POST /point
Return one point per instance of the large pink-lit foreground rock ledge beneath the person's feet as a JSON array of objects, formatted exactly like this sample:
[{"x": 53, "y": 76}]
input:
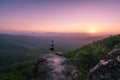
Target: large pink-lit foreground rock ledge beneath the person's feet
[{"x": 54, "y": 67}]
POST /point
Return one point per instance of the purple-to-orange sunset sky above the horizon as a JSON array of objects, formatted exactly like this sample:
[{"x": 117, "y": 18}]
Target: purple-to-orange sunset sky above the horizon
[{"x": 62, "y": 16}]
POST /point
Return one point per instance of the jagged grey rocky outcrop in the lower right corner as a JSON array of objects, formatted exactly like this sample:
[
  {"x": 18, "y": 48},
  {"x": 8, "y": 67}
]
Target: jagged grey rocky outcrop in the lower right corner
[{"x": 107, "y": 69}]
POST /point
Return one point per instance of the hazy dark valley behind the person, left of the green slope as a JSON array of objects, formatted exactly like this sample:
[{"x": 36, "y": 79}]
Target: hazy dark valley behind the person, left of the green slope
[{"x": 18, "y": 53}]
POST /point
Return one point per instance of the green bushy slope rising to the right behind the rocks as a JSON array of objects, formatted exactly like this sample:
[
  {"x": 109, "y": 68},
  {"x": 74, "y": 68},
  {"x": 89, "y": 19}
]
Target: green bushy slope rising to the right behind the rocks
[{"x": 89, "y": 55}]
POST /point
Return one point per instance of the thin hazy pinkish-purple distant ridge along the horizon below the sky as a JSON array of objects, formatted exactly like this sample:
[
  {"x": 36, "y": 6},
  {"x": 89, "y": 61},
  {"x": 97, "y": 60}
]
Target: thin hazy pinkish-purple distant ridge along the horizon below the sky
[{"x": 43, "y": 33}]
